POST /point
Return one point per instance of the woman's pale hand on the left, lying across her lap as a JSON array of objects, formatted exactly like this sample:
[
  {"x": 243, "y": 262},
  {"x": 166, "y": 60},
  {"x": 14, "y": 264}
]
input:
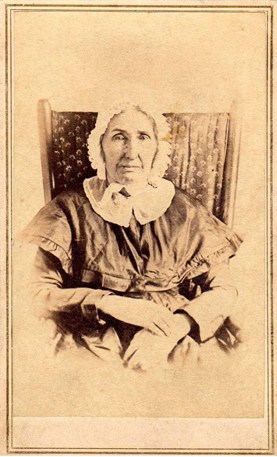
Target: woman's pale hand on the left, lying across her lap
[{"x": 140, "y": 312}]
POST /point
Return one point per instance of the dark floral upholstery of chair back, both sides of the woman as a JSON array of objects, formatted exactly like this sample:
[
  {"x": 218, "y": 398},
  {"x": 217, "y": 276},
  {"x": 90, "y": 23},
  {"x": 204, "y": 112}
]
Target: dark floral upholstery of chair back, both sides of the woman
[{"x": 199, "y": 144}]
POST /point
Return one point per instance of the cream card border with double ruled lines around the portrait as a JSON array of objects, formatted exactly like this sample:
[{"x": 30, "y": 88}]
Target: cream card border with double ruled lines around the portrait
[{"x": 129, "y": 435}]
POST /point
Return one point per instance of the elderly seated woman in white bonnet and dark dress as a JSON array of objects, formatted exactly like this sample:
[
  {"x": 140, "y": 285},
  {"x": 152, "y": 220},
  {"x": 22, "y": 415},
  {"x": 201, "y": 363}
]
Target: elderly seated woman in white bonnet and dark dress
[{"x": 129, "y": 267}]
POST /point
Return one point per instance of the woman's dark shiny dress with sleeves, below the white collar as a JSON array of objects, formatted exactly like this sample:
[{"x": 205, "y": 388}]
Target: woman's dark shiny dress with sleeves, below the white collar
[{"x": 179, "y": 261}]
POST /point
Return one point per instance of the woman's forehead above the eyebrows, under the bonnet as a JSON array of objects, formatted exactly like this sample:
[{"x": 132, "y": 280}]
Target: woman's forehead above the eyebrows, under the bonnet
[{"x": 132, "y": 121}]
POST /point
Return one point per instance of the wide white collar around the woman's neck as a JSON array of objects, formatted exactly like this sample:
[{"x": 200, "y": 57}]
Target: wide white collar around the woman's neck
[{"x": 115, "y": 205}]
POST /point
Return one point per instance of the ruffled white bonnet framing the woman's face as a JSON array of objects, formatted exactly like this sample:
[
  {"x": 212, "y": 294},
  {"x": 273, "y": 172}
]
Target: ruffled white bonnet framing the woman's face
[{"x": 161, "y": 126}]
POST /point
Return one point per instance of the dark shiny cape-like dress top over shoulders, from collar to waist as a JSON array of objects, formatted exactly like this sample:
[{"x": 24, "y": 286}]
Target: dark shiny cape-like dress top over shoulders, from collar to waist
[{"x": 158, "y": 256}]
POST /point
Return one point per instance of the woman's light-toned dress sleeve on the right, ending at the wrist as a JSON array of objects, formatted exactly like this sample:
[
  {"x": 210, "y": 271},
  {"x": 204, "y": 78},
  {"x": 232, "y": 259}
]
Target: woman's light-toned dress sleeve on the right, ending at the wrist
[{"x": 210, "y": 309}]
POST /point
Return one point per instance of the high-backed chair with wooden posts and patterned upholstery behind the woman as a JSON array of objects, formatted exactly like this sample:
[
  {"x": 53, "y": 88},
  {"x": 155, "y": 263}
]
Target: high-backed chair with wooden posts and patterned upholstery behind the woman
[{"x": 204, "y": 159}]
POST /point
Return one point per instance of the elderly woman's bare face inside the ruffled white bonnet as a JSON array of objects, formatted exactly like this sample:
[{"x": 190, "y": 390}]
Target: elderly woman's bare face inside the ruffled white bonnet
[{"x": 129, "y": 145}]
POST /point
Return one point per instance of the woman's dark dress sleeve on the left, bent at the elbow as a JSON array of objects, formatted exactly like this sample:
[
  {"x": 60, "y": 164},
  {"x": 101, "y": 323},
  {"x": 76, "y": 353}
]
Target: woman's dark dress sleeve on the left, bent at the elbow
[{"x": 50, "y": 297}]
